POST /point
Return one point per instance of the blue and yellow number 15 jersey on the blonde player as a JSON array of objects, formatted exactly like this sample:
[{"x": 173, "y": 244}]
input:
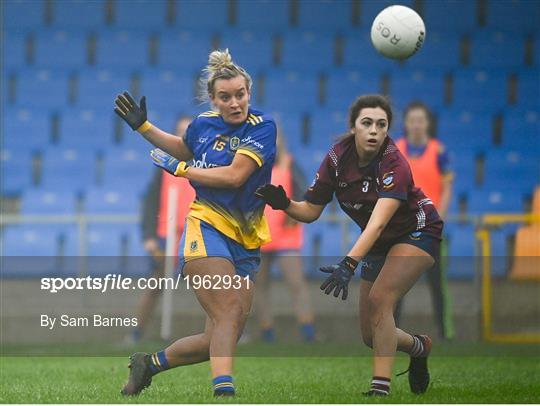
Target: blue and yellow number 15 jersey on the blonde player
[{"x": 237, "y": 213}]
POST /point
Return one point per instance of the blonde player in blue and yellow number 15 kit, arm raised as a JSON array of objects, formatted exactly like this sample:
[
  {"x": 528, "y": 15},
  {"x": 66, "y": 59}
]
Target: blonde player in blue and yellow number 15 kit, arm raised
[{"x": 230, "y": 153}]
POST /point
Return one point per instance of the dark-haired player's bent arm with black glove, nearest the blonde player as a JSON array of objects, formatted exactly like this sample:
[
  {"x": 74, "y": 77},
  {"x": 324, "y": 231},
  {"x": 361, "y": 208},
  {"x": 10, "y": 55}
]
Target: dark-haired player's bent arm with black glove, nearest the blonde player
[{"x": 276, "y": 198}]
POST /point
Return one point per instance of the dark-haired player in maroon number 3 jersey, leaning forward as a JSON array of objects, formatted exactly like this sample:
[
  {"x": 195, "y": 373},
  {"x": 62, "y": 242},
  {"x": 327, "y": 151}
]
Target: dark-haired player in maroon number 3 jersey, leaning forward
[{"x": 401, "y": 233}]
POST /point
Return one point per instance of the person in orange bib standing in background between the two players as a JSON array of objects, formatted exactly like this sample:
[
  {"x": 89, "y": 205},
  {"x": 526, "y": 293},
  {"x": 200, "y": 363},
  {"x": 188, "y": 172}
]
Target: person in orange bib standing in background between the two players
[{"x": 287, "y": 240}]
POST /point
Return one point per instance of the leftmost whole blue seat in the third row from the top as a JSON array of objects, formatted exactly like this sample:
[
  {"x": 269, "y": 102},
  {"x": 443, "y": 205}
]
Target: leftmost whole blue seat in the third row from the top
[{"x": 42, "y": 89}]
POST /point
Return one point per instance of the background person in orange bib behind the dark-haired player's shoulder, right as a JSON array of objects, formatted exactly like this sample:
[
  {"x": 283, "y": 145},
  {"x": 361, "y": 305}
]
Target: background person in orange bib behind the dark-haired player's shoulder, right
[{"x": 430, "y": 165}]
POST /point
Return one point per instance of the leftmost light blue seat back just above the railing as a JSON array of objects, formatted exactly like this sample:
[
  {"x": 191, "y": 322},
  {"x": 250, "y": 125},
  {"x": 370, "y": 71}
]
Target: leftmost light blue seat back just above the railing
[{"x": 39, "y": 201}]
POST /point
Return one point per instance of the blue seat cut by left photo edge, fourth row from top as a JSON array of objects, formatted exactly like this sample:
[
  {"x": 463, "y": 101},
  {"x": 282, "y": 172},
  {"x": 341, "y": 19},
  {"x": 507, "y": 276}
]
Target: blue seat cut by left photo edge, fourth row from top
[{"x": 26, "y": 129}]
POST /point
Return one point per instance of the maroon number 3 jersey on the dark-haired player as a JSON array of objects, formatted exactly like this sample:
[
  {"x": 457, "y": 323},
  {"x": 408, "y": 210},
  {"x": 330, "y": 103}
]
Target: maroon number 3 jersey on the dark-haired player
[{"x": 358, "y": 189}]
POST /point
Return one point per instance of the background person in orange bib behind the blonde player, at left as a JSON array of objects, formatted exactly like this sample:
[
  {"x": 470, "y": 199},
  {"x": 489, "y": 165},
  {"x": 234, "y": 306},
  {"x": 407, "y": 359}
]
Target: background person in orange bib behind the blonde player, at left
[{"x": 154, "y": 229}]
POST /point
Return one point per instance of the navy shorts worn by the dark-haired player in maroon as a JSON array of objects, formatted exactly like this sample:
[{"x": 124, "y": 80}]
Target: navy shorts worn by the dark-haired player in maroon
[{"x": 372, "y": 263}]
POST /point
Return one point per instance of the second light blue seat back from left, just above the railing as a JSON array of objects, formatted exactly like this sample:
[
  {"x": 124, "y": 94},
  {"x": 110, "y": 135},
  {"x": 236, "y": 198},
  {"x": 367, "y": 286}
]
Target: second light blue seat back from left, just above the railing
[{"x": 102, "y": 201}]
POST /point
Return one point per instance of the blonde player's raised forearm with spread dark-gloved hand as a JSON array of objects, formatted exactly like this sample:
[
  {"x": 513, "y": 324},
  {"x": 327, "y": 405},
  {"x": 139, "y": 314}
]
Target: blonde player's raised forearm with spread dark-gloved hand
[{"x": 136, "y": 117}]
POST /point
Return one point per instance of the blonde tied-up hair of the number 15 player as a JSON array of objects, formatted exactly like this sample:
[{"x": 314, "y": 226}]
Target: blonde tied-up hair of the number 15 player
[{"x": 220, "y": 66}]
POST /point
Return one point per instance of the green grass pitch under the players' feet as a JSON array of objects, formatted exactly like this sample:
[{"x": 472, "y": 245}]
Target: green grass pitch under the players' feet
[{"x": 460, "y": 374}]
